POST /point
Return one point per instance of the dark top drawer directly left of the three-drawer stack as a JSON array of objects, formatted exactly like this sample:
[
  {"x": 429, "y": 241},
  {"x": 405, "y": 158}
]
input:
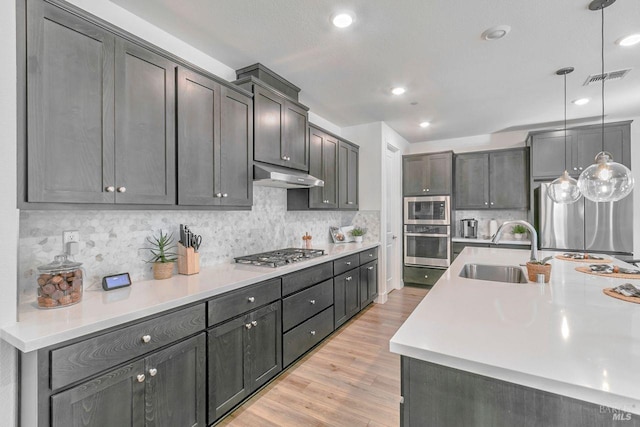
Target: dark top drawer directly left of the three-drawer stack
[{"x": 242, "y": 300}]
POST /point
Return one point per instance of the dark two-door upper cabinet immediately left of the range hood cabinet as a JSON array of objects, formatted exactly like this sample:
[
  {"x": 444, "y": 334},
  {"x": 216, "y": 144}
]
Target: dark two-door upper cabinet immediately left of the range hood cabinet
[{"x": 215, "y": 131}]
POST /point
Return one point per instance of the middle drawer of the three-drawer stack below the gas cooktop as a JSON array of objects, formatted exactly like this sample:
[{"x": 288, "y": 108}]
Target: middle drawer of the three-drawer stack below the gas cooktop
[{"x": 303, "y": 305}]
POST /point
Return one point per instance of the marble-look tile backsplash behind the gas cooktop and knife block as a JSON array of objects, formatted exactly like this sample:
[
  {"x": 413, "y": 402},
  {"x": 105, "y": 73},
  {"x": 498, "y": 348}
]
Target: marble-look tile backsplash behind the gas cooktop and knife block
[{"x": 111, "y": 241}]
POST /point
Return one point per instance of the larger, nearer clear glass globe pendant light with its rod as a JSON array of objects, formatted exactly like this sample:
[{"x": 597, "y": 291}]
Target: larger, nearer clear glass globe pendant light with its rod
[{"x": 606, "y": 180}]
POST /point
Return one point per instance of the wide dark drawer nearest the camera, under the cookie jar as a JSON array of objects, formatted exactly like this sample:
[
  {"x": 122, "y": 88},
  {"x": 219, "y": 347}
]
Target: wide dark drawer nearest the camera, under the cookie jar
[{"x": 88, "y": 357}]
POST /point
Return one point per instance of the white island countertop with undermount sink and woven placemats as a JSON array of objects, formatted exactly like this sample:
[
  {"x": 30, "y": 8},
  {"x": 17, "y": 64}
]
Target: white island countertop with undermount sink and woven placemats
[{"x": 565, "y": 337}]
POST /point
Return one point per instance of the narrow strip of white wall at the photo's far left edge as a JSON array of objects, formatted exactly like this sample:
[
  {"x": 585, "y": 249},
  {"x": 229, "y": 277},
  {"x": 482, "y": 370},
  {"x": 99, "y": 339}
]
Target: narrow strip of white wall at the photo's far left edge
[{"x": 8, "y": 211}]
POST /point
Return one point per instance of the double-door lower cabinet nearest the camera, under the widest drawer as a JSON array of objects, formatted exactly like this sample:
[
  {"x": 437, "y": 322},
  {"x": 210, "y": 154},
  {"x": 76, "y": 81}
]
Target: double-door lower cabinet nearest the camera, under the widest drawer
[{"x": 141, "y": 393}]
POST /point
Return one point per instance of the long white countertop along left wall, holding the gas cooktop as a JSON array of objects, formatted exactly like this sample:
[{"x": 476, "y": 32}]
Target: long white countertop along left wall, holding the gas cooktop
[{"x": 38, "y": 328}]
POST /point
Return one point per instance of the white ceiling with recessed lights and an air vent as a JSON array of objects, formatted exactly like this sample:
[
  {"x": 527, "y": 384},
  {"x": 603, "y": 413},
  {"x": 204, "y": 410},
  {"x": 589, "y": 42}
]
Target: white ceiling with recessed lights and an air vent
[{"x": 461, "y": 83}]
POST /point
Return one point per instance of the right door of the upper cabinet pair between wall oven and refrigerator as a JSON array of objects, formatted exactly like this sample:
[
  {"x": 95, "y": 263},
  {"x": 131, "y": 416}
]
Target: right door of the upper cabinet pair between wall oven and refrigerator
[{"x": 509, "y": 179}]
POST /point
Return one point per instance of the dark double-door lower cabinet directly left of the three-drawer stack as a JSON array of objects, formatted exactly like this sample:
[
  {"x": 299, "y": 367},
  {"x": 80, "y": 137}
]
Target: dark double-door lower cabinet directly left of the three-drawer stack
[{"x": 243, "y": 354}]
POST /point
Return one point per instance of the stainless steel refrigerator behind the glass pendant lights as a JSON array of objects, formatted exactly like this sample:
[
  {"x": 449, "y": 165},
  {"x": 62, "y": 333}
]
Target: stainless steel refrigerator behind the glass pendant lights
[{"x": 584, "y": 225}]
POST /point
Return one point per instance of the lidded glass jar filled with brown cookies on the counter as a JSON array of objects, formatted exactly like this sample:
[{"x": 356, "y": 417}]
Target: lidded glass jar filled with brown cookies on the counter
[{"x": 59, "y": 283}]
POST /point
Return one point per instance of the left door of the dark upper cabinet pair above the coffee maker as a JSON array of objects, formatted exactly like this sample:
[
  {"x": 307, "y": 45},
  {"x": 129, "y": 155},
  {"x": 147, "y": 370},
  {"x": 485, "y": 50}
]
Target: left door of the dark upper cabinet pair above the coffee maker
[{"x": 472, "y": 181}]
